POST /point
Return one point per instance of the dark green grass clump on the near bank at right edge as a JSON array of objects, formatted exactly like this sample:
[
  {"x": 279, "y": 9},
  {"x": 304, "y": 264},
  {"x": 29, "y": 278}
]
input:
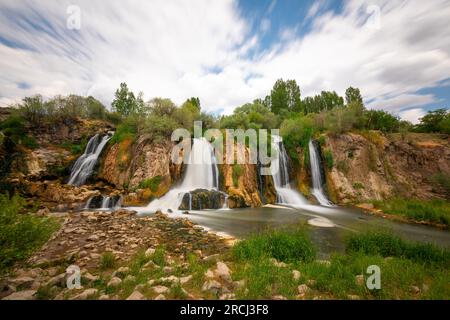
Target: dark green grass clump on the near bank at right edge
[{"x": 388, "y": 245}]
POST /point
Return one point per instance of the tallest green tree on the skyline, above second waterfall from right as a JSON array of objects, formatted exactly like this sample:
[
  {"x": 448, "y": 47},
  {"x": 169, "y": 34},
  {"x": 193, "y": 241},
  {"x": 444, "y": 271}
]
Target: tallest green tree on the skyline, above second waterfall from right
[{"x": 285, "y": 97}]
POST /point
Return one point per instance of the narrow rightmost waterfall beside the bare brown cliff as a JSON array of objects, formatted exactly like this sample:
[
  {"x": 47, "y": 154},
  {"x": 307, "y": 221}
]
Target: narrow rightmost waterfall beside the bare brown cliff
[{"x": 317, "y": 175}]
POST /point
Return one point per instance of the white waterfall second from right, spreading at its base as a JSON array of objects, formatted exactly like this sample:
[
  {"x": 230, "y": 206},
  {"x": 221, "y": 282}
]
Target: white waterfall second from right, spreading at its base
[{"x": 280, "y": 174}]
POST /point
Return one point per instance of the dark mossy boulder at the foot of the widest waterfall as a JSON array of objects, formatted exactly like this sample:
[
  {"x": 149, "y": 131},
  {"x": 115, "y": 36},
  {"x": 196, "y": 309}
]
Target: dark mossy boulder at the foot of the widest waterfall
[{"x": 203, "y": 199}]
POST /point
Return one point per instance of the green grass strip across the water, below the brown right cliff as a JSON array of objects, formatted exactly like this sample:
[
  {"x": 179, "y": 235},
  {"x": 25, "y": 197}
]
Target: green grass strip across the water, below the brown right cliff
[{"x": 437, "y": 211}]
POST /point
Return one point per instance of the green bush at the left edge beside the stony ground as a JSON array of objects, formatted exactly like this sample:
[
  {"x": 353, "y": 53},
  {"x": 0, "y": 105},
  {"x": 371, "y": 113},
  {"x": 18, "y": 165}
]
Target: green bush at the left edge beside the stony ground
[{"x": 20, "y": 233}]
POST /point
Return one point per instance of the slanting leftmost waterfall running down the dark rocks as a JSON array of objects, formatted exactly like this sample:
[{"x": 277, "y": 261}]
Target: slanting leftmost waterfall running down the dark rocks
[{"x": 85, "y": 164}]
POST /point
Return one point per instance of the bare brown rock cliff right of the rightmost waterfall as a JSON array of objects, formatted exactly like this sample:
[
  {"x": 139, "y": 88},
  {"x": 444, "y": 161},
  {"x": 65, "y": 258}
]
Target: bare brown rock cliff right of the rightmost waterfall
[{"x": 375, "y": 166}]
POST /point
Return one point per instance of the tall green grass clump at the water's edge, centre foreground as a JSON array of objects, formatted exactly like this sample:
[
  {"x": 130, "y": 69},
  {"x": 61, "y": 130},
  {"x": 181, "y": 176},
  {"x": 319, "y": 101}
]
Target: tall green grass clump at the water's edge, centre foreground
[{"x": 286, "y": 246}]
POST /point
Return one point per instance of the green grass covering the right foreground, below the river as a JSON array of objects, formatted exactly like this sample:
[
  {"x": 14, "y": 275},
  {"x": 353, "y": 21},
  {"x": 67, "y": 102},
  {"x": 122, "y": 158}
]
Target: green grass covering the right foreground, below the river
[{"x": 409, "y": 264}]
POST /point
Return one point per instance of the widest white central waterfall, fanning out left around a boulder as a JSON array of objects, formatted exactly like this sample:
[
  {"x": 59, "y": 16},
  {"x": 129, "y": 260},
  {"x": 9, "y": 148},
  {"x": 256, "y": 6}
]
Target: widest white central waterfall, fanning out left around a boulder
[{"x": 201, "y": 173}]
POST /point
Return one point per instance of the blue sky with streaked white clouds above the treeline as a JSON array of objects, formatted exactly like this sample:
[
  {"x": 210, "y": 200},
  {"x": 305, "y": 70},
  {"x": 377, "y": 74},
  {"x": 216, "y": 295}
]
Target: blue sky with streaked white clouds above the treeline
[{"x": 228, "y": 52}]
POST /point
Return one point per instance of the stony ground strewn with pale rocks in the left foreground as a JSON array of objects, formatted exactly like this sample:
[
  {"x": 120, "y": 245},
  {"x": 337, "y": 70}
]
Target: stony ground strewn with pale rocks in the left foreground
[{"x": 152, "y": 257}]
